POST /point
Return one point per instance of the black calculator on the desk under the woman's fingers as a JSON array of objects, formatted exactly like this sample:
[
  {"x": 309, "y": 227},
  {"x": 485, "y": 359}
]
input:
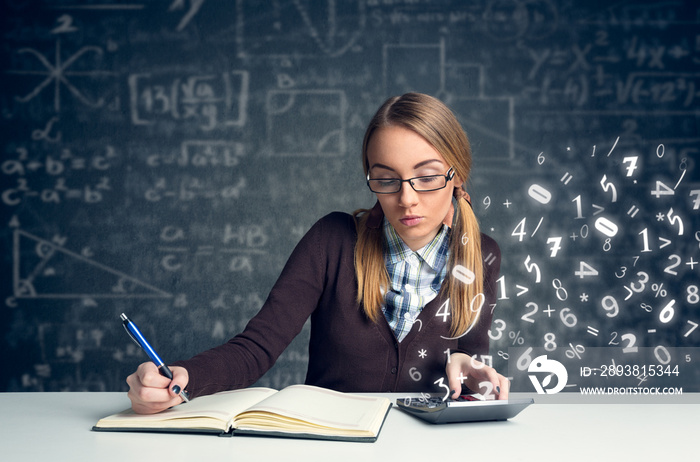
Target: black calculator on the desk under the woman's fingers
[{"x": 466, "y": 408}]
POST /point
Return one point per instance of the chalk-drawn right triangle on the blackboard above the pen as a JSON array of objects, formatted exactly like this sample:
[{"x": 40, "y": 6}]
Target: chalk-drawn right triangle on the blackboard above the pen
[{"x": 45, "y": 270}]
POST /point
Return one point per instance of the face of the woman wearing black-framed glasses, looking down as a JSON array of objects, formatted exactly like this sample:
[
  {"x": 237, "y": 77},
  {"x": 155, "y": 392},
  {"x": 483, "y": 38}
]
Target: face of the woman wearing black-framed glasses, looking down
[{"x": 397, "y": 152}]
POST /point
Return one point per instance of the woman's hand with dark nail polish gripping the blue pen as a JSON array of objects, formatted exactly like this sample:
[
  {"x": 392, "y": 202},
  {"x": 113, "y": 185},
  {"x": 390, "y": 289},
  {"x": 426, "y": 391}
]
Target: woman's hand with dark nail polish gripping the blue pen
[{"x": 151, "y": 392}]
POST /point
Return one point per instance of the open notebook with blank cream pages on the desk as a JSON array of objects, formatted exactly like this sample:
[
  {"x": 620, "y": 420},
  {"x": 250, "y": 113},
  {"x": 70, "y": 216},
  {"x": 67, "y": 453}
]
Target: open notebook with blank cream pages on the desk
[{"x": 298, "y": 411}]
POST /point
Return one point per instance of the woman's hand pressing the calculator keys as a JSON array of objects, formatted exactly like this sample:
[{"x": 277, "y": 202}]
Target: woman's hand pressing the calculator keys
[{"x": 463, "y": 369}]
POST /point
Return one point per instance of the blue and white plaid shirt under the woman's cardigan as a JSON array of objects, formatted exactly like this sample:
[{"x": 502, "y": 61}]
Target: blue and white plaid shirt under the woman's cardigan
[{"x": 415, "y": 277}]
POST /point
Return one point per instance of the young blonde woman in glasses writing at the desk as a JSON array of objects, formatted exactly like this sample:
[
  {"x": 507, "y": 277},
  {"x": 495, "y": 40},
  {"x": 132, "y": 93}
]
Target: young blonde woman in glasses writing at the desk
[{"x": 399, "y": 296}]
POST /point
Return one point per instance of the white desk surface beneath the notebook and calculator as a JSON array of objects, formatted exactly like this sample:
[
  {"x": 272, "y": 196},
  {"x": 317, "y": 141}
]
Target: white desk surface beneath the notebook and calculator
[{"x": 56, "y": 426}]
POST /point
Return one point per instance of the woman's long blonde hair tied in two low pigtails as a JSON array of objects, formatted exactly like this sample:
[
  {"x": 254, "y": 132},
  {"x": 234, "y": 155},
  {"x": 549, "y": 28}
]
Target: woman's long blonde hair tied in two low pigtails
[{"x": 431, "y": 119}]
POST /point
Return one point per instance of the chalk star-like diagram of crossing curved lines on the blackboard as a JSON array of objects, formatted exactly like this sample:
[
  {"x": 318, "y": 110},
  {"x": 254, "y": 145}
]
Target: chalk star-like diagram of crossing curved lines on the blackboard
[{"x": 58, "y": 73}]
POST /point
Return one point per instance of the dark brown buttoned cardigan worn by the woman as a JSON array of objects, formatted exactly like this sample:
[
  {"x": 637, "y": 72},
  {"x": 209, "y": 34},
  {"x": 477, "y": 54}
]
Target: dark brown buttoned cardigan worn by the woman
[{"x": 347, "y": 352}]
